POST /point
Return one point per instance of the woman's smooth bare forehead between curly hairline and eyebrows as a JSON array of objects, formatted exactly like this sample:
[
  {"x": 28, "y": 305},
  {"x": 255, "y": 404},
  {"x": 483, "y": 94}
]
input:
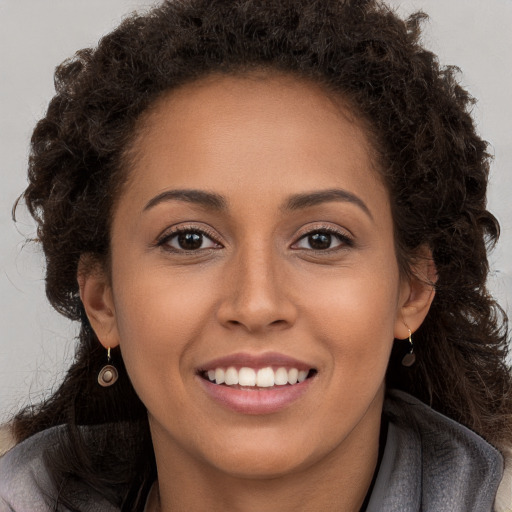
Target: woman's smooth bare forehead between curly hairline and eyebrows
[{"x": 227, "y": 131}]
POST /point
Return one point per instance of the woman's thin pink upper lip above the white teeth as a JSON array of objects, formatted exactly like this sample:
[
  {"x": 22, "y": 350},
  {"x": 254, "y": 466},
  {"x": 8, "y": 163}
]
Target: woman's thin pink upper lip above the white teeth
[{"x": 242, "y": 359}]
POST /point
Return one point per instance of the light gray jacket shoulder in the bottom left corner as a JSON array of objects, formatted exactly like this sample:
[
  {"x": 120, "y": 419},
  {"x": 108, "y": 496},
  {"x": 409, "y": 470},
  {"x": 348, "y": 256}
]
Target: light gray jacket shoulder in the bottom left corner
[{"x": 24, "y": 481}]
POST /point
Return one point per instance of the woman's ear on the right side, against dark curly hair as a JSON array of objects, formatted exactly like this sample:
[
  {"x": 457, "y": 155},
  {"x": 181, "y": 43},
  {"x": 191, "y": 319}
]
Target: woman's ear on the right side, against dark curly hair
[{"x": 417, "y": 292}]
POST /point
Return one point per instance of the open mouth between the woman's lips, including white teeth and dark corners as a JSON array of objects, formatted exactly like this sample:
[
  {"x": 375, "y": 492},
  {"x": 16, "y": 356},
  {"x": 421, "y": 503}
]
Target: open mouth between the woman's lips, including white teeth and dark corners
[{"x": 253, "y": 378}]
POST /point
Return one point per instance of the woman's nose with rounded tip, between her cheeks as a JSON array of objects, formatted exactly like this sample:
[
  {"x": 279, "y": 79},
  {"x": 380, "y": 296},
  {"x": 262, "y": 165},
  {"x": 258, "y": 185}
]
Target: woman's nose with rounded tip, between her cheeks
[{"x": 255, "y": 294}]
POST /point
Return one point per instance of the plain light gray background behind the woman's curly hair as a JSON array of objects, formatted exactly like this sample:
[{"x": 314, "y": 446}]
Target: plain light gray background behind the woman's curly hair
[{"x": 36, "y": 344}]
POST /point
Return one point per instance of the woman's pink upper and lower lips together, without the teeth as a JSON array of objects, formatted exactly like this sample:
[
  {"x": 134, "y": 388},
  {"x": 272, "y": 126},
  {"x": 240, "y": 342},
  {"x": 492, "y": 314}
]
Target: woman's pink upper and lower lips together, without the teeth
[{"x": 250, "y": 400}]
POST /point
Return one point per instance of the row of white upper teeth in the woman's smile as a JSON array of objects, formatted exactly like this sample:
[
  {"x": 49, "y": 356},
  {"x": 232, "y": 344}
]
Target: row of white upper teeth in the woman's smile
[{"x": 263, "y": 378}]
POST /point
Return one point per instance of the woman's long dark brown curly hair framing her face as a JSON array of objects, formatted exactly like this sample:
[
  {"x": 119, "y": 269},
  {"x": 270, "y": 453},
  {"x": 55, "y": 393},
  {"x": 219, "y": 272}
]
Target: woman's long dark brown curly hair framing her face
[{"x": 433, "y": 162}]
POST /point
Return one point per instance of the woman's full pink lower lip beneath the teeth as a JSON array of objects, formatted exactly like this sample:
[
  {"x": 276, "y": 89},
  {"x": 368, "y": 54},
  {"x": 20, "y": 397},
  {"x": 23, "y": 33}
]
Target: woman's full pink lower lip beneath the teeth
[{"x": 257, "y": 401}]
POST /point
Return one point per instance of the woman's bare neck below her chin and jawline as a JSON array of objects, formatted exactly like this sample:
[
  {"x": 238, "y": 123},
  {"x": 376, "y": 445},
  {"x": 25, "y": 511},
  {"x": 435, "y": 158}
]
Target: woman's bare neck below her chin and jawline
[{"x": 338, "y": 481}]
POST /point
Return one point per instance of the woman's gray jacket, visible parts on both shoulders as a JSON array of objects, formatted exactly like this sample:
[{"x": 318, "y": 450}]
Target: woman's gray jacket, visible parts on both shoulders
[{"x": 430, "y": 464}]
